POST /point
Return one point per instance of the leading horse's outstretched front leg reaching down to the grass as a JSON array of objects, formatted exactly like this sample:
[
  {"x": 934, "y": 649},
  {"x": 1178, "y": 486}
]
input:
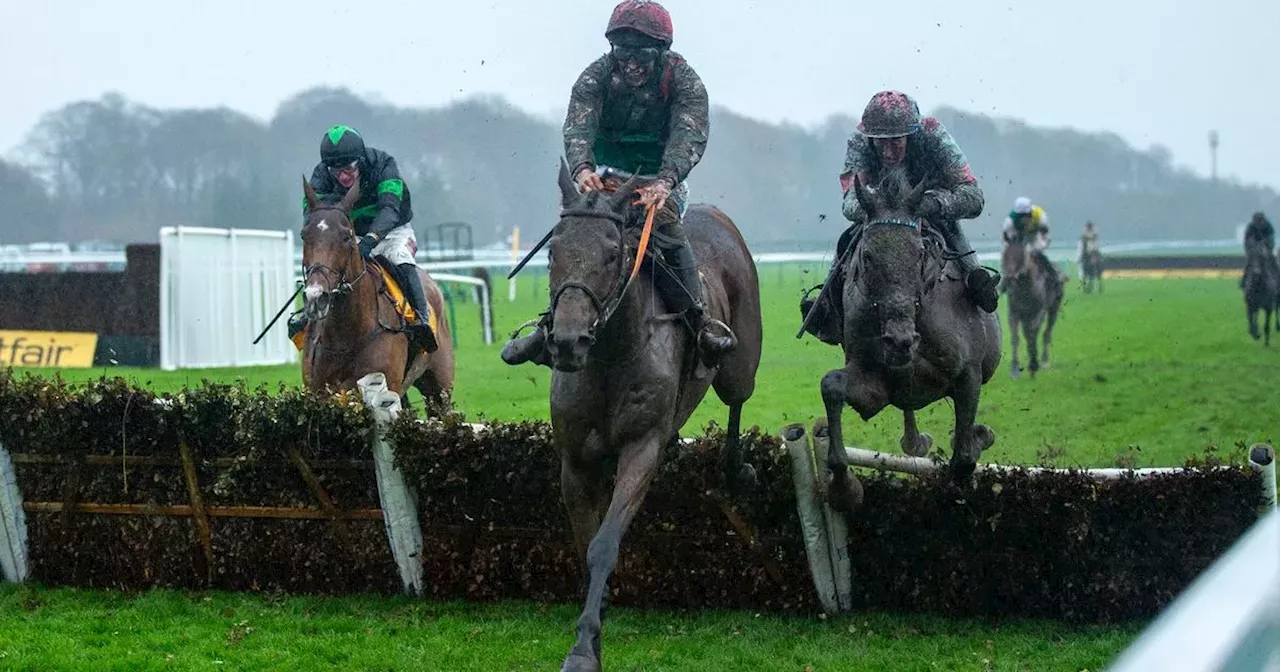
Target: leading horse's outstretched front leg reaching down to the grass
[{"x": 638, "y": 464}]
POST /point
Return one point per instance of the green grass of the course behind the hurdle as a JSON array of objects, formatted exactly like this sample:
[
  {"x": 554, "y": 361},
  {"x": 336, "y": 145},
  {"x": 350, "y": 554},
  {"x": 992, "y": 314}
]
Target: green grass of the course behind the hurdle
[{"x": 1163, "y": 367}]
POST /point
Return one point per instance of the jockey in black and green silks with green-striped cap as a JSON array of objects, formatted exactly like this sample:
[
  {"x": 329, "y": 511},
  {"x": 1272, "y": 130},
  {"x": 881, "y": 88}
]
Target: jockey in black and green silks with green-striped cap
[{"x": 381, "y": 217}]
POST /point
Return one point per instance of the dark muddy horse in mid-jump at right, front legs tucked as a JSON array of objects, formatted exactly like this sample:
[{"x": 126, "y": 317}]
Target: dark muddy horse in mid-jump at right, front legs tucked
[{"x": 911, "y": 337}]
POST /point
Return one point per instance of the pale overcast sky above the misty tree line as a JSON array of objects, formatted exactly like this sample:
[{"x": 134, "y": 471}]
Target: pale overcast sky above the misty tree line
[{"x": 1154, "y": 72}]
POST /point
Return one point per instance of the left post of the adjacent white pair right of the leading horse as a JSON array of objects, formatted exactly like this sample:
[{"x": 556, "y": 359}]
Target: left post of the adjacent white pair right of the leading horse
[{"x": 813, "y": 524}]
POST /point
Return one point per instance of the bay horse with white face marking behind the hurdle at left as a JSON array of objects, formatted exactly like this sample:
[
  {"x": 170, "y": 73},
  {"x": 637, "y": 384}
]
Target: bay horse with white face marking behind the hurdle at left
[{"x": 354, "y": 327}]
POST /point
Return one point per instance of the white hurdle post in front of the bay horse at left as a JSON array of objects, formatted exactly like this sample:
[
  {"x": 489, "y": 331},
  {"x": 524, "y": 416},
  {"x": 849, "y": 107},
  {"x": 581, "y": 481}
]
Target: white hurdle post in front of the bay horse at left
[{"x": 399, "y": 501}]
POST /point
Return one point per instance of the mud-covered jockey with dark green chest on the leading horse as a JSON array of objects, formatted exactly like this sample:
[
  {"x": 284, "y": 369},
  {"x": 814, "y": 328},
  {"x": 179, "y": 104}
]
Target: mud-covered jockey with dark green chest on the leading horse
[{"x": 642, "y": 111}]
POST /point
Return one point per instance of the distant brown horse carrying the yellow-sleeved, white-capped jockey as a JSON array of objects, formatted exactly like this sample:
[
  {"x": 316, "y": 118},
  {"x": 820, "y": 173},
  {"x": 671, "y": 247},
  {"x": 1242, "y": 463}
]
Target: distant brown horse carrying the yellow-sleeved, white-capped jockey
[{"x": 1034, "y": 303}]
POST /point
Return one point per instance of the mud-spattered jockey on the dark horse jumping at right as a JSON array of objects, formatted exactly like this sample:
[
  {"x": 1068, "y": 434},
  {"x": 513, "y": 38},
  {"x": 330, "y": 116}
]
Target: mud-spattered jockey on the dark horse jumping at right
[{"x": 894, "y": 134}]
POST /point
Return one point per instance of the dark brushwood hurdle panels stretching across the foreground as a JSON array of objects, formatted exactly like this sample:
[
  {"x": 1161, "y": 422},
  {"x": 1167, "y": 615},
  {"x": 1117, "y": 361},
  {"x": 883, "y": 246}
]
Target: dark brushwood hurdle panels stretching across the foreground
[{"x": 1017, "y": 545}]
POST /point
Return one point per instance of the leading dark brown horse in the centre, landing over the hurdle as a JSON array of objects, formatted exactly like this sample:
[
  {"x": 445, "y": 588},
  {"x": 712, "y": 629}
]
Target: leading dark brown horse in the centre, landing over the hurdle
[{"x": 627, "y": 377}]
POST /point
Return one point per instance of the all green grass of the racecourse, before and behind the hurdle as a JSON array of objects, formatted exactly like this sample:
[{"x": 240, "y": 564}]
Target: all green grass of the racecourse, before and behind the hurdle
[{"x": 1154, "y": 371}]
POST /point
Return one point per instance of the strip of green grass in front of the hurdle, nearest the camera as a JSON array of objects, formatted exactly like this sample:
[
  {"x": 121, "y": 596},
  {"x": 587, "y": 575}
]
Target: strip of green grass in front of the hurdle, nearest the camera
[{"x": 66, "y": 629}]
